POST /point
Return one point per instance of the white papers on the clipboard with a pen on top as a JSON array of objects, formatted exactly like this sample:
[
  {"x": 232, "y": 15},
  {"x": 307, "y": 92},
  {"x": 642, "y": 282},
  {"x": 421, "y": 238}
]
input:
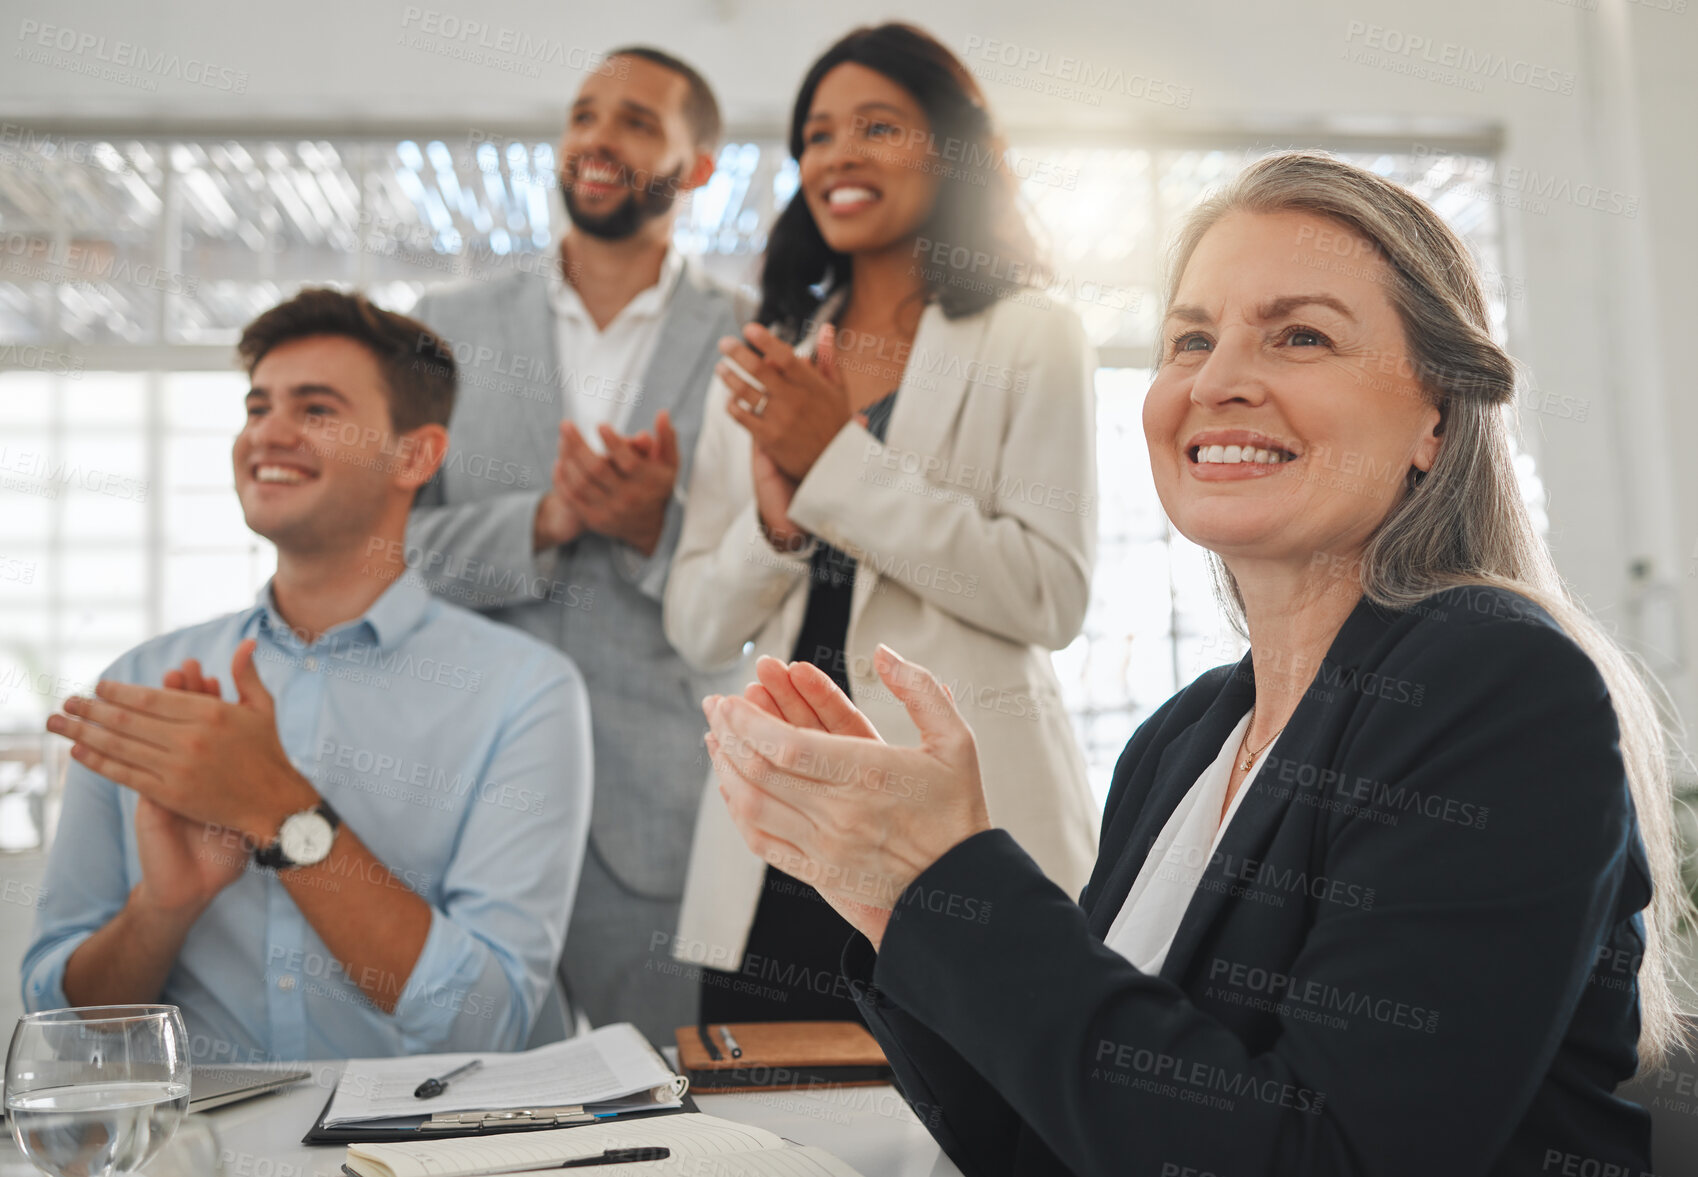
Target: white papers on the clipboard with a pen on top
[{"x": 612, "y": 1062}]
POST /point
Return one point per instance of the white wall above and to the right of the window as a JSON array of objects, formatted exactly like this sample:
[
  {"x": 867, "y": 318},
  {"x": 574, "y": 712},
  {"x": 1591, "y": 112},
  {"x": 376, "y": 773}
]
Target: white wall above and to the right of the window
[{"x": 1607, "y": 295}]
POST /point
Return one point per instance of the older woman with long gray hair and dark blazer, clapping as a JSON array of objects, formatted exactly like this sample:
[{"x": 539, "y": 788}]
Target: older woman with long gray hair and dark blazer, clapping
[{"x": 1390, "y": 896}]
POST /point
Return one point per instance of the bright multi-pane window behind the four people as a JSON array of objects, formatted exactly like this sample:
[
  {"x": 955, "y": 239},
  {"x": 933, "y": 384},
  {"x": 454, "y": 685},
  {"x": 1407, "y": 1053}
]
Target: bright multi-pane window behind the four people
[{"x": 128, "y": 267}]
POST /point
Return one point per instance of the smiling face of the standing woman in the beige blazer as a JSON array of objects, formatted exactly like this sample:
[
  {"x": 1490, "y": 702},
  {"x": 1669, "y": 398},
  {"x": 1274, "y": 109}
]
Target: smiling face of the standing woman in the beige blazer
[{"x": 869, "y": 169}]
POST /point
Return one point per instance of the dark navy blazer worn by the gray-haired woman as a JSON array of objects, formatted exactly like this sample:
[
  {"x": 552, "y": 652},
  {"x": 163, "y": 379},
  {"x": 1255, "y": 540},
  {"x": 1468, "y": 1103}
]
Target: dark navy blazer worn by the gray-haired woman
[{"x": 1414, "y": 952}]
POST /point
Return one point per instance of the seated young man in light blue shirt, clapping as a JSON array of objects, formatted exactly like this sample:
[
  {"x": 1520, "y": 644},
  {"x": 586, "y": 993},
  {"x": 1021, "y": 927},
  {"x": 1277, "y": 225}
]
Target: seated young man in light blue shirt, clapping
[{"x": 374, "y": 848}]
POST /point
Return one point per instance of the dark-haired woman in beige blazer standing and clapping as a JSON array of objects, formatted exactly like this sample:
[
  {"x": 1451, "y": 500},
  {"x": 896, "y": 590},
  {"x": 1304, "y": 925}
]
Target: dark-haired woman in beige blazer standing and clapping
[{"x": 901, "y": 451}]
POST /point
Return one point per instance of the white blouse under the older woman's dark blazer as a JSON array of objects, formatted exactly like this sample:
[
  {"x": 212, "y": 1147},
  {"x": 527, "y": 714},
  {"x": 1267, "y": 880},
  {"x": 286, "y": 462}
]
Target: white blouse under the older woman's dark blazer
[{"x": 1144, "y": 930}]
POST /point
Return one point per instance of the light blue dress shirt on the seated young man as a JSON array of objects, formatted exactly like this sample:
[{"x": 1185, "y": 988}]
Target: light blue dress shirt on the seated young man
[{"x": 456, "y": 748}]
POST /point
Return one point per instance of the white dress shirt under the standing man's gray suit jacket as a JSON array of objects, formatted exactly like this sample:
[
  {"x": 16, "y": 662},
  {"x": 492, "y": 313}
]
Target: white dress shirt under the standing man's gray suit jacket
[{"x": 602, "y": 369}]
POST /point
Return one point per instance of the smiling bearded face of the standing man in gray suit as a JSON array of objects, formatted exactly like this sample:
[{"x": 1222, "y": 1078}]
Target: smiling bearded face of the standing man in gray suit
[{"x": 627, "y": 152}]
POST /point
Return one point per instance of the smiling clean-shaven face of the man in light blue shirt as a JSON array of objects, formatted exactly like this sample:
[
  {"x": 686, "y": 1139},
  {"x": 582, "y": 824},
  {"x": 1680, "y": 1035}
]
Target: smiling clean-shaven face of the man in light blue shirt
[{"x": 320, "y": 466}]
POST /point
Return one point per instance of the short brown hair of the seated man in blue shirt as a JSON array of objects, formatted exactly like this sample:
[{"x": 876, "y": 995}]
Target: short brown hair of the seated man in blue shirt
[{"x": 417, "y": 364}]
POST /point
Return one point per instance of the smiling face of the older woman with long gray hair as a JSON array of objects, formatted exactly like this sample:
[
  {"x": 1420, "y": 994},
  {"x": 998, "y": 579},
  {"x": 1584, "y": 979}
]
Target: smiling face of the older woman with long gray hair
[{"x": 1286, "y": 414}]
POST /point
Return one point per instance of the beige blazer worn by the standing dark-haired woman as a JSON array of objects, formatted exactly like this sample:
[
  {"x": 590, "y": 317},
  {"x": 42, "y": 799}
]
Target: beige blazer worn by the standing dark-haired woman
[{"x": 976, "y": 531}]
